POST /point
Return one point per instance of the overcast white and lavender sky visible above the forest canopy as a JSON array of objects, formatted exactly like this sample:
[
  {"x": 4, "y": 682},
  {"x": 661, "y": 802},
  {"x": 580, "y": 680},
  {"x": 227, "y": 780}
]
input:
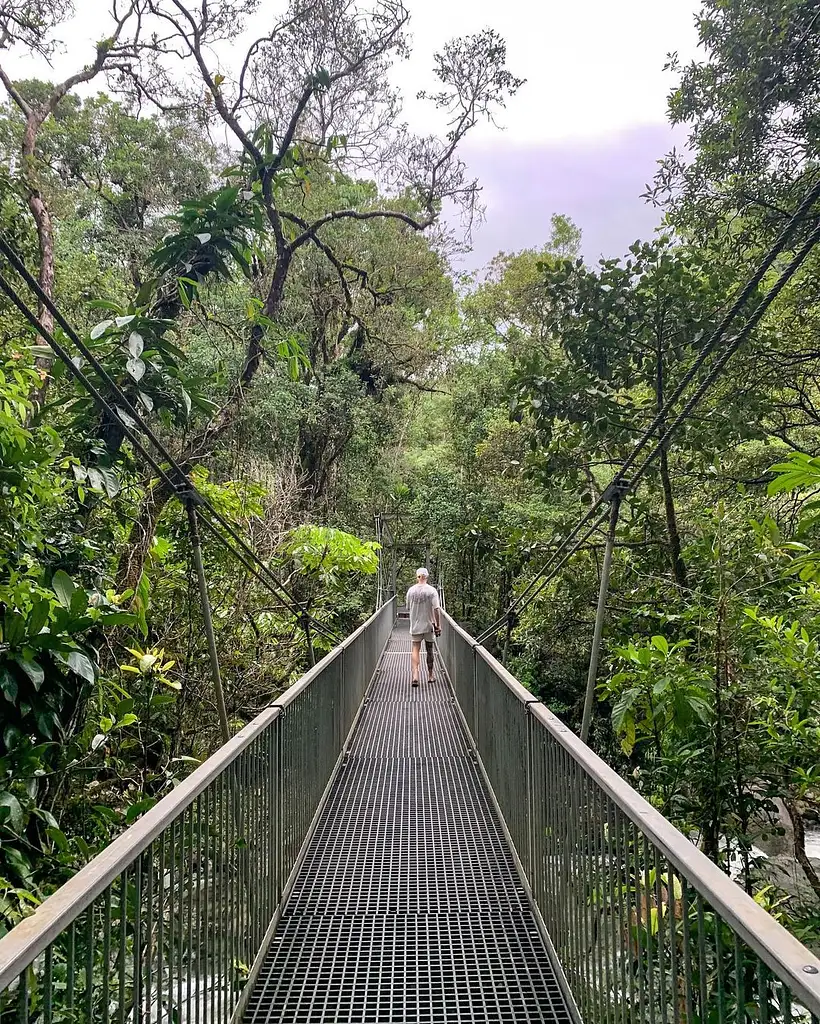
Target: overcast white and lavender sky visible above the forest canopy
[{"x": 582, "y": 138}]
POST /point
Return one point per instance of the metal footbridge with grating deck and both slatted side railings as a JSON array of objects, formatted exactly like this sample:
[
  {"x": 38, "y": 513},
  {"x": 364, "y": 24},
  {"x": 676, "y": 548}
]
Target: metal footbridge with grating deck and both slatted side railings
[{"x": 368, "y": 851}]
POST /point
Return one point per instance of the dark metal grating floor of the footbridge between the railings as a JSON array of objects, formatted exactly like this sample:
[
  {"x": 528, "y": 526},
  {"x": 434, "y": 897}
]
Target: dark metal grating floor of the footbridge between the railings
[{"x": 408, "y": 907}]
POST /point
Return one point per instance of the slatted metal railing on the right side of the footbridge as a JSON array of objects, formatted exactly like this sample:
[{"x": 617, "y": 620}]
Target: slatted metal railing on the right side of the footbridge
[{"x": 645, "y": 928}]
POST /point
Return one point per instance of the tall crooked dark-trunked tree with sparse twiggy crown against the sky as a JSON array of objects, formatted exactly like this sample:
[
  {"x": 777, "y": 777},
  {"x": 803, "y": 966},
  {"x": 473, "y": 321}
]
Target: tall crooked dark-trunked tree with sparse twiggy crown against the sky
[{"x": 298, "y": 103}]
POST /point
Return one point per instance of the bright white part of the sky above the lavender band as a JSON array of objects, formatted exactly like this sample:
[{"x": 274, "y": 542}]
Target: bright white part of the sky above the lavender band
[{"x": 594, "y": 68}]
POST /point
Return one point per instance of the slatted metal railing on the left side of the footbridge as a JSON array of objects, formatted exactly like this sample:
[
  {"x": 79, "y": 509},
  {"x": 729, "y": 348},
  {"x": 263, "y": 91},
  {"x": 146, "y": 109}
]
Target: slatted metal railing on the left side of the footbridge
[{"x": 170, "y": 923}]
